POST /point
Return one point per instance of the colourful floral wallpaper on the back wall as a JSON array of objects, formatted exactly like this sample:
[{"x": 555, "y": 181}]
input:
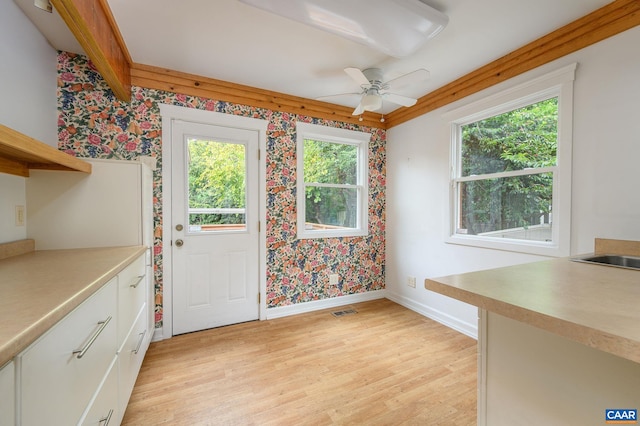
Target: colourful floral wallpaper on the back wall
[{"x": 93, "y": 123}]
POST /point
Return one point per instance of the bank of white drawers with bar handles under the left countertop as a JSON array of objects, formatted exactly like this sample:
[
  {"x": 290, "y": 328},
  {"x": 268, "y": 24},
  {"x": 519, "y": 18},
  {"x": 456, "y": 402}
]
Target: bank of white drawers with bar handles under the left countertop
[{"x": 82, "y": 371}]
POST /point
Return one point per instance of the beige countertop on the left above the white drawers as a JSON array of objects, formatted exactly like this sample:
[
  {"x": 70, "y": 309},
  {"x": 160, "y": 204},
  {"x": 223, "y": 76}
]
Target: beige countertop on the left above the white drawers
[{"x": 38, "y": 289}]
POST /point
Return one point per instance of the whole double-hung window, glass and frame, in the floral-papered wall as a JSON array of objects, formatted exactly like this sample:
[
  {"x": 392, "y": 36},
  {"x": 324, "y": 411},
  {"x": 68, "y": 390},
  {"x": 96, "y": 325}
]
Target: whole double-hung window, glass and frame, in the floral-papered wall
[{"x": 332, "y": 175}]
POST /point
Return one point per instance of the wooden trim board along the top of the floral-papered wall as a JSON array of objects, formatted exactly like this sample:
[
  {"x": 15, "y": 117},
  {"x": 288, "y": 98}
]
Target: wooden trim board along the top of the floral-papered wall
[{"x": 178, "y": 82}]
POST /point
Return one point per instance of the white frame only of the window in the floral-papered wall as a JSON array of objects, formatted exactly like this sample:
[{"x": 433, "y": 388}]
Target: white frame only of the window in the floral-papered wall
[{"x": 342, "y": 136}]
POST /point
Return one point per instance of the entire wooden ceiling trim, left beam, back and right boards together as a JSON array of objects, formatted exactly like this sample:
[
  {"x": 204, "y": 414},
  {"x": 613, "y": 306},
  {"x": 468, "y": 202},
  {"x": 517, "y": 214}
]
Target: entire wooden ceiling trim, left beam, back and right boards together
[{"x": 93, "y": 25}]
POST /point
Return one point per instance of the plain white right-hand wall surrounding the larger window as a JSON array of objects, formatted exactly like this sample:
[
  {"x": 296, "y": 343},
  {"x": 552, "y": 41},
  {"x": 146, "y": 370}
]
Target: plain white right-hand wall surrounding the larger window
[{"x": 605, "y": 194}]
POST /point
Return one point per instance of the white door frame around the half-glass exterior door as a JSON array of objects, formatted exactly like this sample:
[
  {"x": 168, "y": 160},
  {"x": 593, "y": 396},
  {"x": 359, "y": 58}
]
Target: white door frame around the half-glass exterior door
[{"x": 170, "y": 113}]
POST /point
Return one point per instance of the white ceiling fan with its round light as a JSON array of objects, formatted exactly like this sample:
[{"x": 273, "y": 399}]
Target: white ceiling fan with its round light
[{"x": 375, "y": 89}]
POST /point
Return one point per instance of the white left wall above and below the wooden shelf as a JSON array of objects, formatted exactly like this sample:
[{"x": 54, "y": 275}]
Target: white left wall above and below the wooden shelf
[{"x": 27, "y": 100}]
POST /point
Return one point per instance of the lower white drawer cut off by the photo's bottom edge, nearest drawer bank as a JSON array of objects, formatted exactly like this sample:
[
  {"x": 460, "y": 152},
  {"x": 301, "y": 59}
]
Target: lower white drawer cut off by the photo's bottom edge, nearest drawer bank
[{"x": 103, "y": 410}]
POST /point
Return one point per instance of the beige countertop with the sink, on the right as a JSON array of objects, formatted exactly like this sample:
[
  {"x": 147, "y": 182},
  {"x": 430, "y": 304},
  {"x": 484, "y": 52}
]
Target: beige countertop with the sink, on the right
[{"x": 598, "y": 306}]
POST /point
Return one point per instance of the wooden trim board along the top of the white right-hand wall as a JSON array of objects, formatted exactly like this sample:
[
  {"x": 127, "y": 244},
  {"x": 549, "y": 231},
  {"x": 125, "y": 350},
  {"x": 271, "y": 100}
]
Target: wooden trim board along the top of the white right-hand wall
[{"x": 605, "y": 22}]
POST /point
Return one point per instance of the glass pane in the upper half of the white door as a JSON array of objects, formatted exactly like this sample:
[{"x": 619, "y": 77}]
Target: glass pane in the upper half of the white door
[{"x": 217, "y": 186}]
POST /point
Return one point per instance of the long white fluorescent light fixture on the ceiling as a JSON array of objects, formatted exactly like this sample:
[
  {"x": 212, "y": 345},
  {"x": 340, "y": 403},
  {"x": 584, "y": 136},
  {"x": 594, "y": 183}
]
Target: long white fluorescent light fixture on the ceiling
[{"x": 395, "y": 27}]
